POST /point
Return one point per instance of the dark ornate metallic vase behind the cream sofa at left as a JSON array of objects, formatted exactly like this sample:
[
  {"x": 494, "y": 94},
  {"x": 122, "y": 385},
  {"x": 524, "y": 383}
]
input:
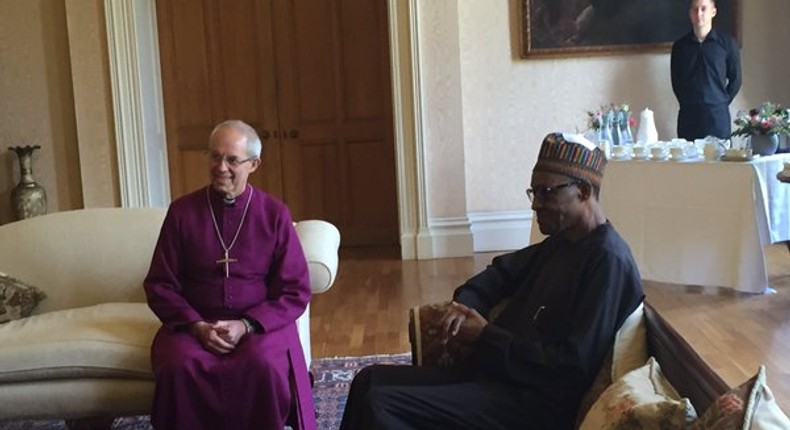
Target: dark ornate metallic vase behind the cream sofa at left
[{"x": 28, "y": 198}]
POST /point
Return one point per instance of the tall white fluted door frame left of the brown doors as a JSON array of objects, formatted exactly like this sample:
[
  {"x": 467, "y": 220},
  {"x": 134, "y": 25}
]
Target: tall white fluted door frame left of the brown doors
[{"x": 137, "y": 103}]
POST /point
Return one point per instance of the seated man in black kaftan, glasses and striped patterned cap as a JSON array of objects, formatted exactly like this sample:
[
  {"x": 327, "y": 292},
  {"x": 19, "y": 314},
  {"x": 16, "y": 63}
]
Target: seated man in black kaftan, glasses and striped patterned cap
[{"x": 531, "y": 365}]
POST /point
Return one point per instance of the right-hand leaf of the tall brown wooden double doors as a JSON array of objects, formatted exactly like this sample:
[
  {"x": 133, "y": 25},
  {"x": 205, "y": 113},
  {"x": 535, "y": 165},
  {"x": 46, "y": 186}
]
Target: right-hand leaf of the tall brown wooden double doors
[{"x": 334, "y": 91}]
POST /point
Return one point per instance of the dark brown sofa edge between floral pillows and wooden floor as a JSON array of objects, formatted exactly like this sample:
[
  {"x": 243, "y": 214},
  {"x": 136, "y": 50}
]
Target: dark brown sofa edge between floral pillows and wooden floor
[{"x": 684, "y": 368}]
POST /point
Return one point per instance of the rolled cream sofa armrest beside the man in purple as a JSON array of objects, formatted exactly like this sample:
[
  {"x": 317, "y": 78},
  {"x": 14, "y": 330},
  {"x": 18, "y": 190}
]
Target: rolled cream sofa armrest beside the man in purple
[{"x": 320, "y": 242}]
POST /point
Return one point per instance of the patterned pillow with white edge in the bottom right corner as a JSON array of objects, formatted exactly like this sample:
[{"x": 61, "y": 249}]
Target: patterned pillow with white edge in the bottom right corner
[{"x": 751, "y": 406}]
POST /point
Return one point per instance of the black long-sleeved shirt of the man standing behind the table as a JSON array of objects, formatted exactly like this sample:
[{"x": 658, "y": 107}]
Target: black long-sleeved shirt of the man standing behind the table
[{"x": 707, "y": 72}]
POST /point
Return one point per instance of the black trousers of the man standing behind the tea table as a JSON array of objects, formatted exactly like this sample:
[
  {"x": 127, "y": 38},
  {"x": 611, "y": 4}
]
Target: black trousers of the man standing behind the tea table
[{"x": 699, "y": 121}]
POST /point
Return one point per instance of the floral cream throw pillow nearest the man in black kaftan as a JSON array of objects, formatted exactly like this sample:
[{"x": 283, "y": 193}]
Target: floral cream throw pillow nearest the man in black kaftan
[{"x": 642, "y": 399}]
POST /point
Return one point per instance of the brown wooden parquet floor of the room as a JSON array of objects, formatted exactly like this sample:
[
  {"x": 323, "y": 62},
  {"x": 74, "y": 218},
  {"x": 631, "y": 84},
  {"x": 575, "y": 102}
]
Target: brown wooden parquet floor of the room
[{"x": 366, "y": 312}]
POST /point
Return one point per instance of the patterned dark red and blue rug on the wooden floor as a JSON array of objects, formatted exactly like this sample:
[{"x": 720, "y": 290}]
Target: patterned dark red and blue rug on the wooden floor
[{"x": 332, "y": 378}]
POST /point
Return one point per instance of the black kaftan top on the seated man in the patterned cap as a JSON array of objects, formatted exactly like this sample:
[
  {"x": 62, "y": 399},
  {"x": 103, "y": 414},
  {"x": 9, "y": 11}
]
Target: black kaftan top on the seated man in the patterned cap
[{"x": 567, "y": 301}]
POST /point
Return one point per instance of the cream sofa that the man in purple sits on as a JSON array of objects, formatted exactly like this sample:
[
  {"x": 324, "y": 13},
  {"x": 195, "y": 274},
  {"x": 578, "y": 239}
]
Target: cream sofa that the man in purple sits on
[{"x": 84, "y": 352}]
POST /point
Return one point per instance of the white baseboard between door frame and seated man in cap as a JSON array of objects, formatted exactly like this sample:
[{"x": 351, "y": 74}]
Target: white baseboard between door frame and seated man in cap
[{"x": 500, "y": 231}]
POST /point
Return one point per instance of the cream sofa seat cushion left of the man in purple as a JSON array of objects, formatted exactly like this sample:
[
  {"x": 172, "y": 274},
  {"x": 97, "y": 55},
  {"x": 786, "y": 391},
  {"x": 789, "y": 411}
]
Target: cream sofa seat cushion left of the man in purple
[{"x": 106, "y": 340}]
